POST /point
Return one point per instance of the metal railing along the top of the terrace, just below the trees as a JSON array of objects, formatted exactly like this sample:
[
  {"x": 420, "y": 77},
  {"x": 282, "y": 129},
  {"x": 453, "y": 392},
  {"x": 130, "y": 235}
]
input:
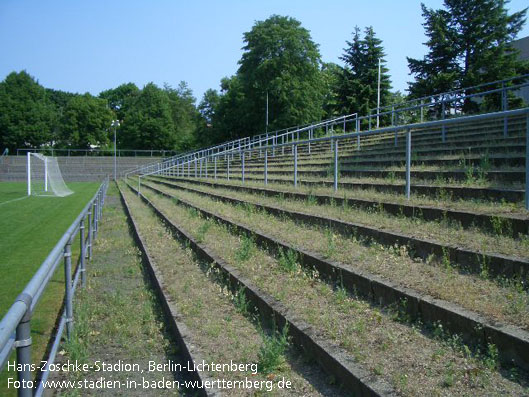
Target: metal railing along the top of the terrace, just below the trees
[{"x": 438, "y": 107}]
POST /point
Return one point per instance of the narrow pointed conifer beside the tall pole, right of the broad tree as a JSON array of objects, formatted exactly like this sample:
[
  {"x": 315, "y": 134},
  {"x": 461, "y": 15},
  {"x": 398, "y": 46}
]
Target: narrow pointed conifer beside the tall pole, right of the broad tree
[{"x": 358, "y": 85}]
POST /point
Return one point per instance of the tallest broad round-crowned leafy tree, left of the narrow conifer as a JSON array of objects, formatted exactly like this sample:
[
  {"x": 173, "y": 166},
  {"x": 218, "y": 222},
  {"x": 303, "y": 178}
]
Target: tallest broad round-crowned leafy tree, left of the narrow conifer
[{"x": 280, "y": 58}]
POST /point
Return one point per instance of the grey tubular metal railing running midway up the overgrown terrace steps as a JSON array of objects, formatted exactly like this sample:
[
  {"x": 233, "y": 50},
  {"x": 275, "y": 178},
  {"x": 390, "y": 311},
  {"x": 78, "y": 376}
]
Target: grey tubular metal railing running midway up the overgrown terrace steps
[{"x": 424, "y": 127}]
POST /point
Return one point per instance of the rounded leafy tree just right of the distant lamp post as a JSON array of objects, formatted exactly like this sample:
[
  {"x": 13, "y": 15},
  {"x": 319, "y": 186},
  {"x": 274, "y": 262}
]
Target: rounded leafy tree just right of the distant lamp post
[{"x": 148, "y": 121}]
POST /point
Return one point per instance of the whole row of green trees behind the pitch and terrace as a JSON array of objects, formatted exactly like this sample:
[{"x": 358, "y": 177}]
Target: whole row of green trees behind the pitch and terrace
[{"x": 469, "y": 43}]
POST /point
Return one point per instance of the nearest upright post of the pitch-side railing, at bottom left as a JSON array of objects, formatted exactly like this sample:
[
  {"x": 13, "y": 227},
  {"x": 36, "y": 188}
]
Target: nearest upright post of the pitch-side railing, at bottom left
[{"x": 23, "y": 345}]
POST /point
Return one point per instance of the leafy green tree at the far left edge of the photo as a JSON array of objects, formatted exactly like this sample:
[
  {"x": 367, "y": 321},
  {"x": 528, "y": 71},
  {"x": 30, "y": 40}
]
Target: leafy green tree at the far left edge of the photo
[{"x": 27, "y": 116}]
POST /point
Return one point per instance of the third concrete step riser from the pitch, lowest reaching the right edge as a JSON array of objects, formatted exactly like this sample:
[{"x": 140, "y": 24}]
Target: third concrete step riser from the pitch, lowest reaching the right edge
[{"x": 512, "y": 343}]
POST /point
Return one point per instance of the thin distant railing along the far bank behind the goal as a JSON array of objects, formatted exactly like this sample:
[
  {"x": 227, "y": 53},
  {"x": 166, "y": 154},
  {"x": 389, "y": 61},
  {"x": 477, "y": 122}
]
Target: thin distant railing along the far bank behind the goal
[{"x": 100, "y": 152}]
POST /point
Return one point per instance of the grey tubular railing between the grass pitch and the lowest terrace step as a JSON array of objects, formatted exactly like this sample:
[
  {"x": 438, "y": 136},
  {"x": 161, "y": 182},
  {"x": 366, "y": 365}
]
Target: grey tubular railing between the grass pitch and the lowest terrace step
[{"x": 15, "y": 328}]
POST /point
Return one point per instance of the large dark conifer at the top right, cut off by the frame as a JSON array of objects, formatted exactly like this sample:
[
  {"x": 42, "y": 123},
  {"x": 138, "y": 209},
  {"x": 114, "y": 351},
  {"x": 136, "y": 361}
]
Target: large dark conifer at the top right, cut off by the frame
[{"x": 469, "y": 44}]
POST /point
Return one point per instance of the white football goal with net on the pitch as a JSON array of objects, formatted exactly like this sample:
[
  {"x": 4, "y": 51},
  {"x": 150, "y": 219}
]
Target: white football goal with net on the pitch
[{"x": 44, "y": 176}]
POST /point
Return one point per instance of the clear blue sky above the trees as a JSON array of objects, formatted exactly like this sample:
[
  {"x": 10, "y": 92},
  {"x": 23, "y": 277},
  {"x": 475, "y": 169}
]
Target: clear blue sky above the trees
[{"x": 90, "y": 46}]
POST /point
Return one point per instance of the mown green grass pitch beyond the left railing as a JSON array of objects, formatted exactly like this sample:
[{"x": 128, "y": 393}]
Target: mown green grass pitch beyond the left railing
[{"x": 29, "y": 229}]
